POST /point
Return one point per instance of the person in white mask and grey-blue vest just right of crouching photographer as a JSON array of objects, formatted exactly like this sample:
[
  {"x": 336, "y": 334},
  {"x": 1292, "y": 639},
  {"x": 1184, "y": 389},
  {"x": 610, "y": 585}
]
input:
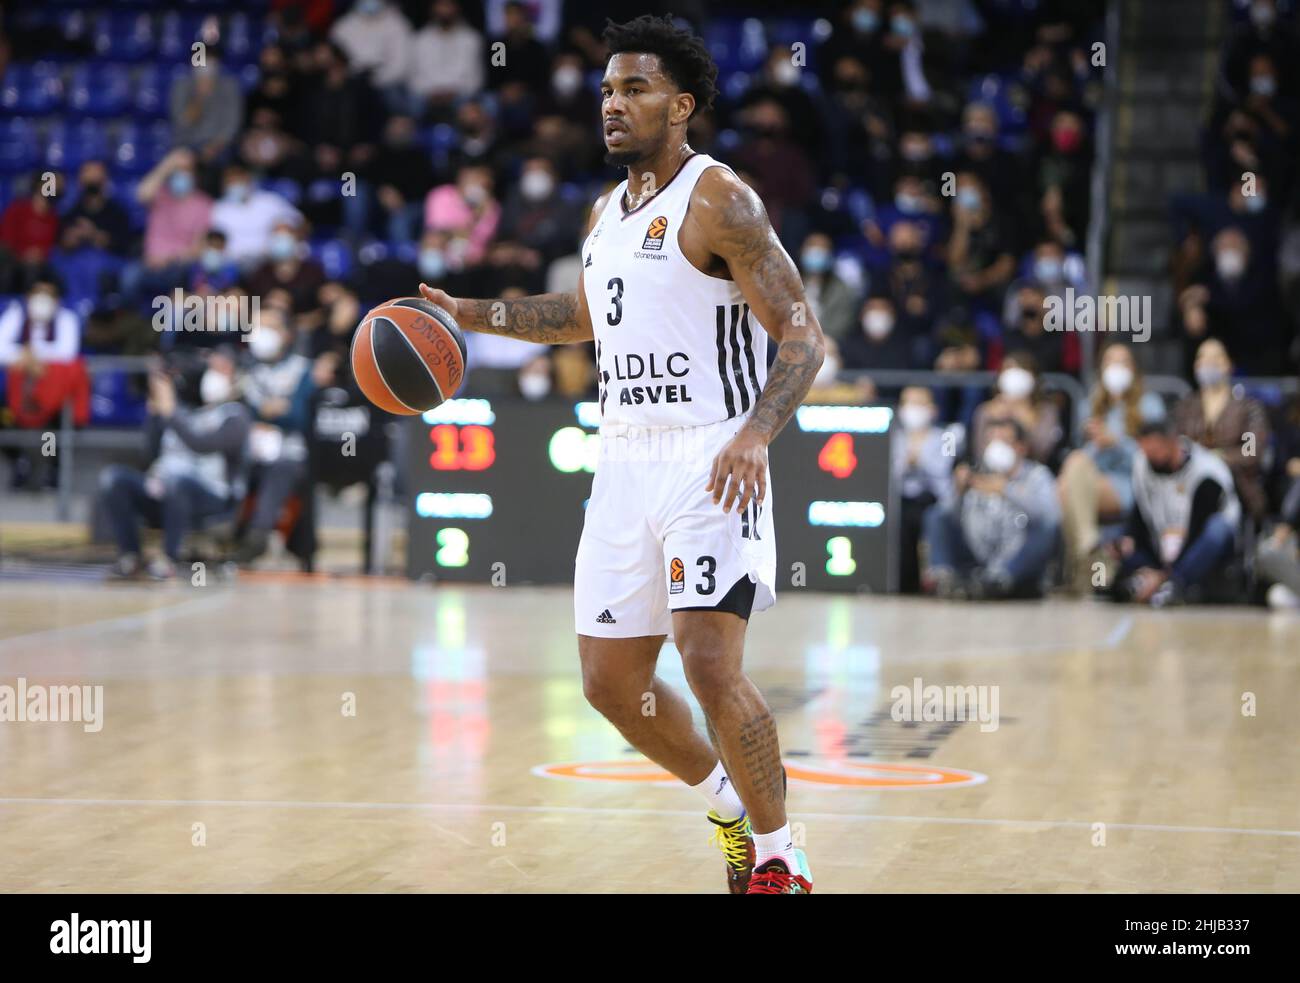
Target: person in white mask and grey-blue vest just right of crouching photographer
[{"x": 279, "y": 387}]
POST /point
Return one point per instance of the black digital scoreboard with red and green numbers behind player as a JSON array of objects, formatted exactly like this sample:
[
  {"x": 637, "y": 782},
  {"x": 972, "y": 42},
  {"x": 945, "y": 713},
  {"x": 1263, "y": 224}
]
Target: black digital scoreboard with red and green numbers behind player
[{"x": 496, "y": 493}]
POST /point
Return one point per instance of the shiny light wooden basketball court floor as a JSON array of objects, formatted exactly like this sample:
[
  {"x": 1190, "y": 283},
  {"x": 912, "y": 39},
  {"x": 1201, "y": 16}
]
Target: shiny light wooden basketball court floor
[{"x": 228, "y": 761}]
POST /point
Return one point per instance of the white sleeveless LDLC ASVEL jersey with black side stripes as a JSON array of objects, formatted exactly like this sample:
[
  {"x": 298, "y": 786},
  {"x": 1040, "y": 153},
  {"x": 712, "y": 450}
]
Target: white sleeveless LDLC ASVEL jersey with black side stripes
[{"x": 675, "y": 347}]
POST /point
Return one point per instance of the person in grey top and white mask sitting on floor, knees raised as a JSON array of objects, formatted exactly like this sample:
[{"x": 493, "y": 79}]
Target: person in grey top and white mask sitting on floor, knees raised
[{"x": 994, "y": 536}]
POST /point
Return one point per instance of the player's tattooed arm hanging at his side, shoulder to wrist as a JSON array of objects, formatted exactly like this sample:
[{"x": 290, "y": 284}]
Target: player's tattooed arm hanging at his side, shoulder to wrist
[{"x": 739, "y": 232}]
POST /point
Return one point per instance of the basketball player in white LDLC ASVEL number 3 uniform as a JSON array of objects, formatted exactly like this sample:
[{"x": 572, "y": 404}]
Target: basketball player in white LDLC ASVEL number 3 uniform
[{"x": 683, "y": 282}]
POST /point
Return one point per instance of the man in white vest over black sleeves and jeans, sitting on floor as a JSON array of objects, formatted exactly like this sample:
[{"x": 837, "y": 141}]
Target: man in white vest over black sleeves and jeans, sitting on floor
[{"x": 1184, "y": 526}]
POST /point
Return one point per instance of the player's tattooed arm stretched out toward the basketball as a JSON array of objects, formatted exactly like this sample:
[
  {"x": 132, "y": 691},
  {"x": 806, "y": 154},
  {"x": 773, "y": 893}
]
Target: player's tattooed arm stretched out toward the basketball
[{"x": 548, "y": 319}]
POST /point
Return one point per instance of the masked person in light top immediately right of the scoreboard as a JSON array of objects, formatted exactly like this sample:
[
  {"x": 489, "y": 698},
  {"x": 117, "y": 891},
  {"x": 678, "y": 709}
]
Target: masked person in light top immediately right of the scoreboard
[{"x": 922, "y": 470}]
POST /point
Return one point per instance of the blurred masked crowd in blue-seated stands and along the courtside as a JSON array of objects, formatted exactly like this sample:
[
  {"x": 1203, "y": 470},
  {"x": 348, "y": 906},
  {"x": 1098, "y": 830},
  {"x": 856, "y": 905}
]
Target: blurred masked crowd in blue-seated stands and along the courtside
[{"x": 928, "y": 163}]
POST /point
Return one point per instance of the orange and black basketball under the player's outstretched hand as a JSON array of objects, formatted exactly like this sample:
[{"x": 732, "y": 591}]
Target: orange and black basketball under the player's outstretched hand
[{"x": 409, "y": 356}]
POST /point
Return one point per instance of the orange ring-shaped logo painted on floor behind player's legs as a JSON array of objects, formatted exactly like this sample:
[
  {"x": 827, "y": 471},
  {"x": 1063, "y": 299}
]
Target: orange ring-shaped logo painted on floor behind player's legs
[{"x": 827, "y": 773}]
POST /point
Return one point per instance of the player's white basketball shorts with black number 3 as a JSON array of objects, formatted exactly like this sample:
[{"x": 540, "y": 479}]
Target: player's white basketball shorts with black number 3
[{"x": 653, "y": 539}]
